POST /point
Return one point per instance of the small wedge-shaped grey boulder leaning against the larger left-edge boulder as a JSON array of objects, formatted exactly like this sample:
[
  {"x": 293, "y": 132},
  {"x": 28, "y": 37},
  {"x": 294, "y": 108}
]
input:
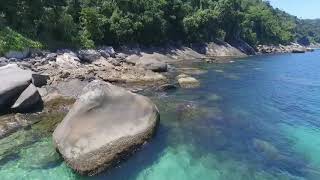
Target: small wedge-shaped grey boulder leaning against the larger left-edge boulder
[{"x": 28, "y": 100}]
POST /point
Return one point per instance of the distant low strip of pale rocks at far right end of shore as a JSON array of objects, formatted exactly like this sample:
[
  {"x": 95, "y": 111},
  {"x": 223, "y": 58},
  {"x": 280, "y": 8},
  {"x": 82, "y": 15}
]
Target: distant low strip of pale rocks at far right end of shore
[{"x": 293, "y": 48}]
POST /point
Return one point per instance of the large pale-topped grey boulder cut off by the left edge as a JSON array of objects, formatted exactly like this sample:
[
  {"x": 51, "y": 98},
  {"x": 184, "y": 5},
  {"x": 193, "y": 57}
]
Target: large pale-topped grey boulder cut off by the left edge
[{"x": 13, "y": 82}]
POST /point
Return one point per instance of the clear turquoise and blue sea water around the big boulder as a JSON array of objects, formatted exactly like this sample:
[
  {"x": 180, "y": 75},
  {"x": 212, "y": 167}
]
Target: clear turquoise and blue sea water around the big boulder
[{"x": 257, "y": 118}]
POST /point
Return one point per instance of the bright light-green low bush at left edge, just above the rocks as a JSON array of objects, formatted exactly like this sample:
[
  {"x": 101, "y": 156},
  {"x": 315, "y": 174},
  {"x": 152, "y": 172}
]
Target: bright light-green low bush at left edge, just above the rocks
[{"x": 11, "y": 40}]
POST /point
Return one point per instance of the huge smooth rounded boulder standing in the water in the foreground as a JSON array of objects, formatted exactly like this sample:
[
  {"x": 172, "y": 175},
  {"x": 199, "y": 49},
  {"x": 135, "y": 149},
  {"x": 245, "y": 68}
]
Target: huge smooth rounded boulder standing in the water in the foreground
[{"x": 105, "y": 125}]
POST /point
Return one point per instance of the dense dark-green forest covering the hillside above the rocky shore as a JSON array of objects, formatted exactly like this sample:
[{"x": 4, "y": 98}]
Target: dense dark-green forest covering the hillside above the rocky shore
[{"x": 87, "y": 23}]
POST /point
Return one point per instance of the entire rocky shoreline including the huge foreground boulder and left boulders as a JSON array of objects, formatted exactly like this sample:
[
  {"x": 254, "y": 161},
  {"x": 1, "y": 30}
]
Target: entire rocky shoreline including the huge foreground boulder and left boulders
[{"x": 77, "y": 84}]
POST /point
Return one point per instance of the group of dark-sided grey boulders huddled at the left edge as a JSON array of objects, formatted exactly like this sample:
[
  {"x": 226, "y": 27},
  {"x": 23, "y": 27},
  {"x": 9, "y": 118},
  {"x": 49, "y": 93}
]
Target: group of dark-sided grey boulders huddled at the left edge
[{"x": 18, "y": 91}]
